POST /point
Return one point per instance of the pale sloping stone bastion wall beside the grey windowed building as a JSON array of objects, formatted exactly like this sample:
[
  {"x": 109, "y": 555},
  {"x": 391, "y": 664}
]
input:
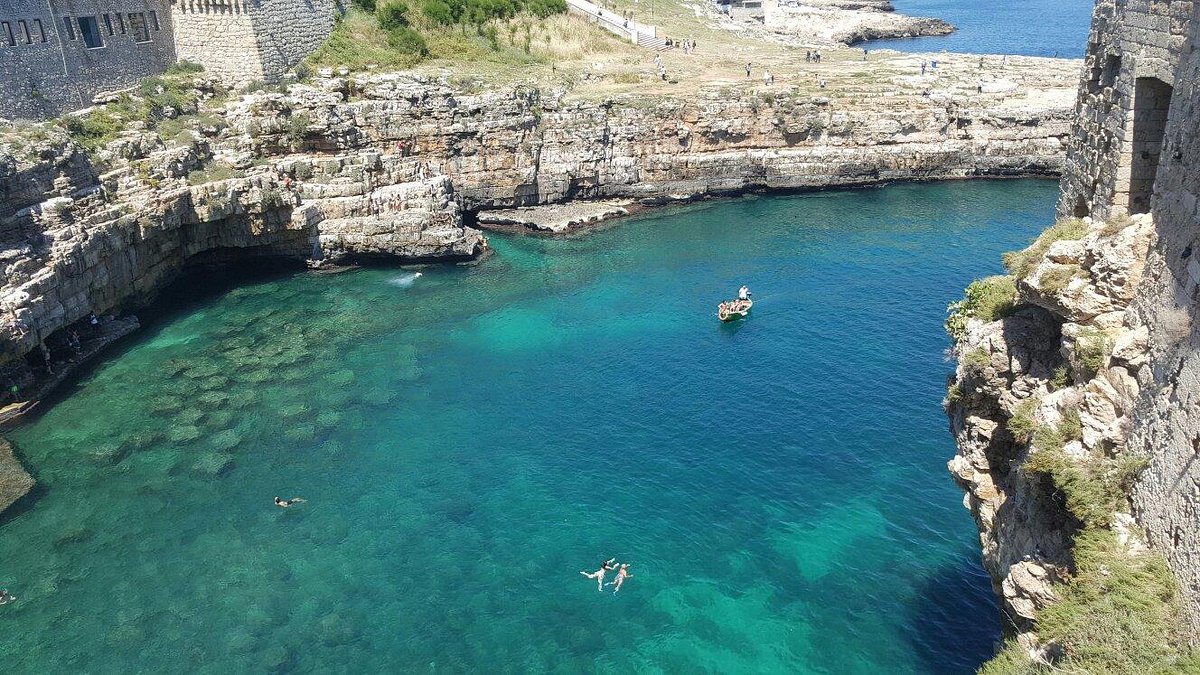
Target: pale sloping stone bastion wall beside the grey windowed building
[{"x": 242, "y": 41}]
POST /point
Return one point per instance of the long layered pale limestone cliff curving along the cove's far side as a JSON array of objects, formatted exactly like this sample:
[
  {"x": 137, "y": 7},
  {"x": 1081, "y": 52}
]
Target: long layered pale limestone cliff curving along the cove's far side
[{"x": 388, "y": 165}]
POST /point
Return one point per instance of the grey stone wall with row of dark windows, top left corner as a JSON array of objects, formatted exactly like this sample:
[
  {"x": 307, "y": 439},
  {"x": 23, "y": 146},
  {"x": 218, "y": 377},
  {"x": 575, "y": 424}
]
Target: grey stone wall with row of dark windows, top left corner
[{"x": 49, "y": 68}]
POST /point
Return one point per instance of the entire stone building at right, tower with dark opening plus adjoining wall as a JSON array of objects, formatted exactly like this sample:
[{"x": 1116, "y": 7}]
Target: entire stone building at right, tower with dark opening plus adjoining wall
[{"x": 1136, "y": 150}]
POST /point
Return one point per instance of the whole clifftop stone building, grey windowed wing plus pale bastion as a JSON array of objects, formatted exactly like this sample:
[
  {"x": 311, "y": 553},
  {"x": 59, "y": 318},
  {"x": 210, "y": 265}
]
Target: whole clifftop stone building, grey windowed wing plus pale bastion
[{"x": 56, "y": 56}]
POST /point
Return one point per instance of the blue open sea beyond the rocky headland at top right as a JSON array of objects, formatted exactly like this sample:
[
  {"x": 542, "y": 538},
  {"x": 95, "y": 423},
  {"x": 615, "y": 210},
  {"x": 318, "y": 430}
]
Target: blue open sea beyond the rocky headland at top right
[{"x": 1033, "y": 28}]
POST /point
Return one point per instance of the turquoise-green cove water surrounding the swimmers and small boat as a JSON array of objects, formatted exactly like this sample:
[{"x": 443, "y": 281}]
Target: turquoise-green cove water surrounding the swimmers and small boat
[{"x": 471, "y": 439}]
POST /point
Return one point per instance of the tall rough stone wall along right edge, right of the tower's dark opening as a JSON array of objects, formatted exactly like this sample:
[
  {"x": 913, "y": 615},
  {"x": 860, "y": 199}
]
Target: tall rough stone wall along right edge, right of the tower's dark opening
[{"x": 1167, "y": 416}]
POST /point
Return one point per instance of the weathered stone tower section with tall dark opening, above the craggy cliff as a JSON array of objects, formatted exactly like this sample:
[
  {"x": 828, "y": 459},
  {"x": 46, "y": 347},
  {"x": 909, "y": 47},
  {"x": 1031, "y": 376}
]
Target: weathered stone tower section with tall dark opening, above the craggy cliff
[{"x": 1133, "y": 52}]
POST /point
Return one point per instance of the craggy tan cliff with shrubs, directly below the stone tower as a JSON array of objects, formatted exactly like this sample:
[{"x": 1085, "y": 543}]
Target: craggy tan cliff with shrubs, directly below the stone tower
[{"x": 1057, "y": 375}]
